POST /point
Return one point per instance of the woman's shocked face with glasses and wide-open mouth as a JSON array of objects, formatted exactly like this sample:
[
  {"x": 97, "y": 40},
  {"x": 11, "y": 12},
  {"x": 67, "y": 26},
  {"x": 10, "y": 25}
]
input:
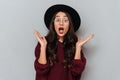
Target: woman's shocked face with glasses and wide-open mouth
[{"x": 61, "y": 24}]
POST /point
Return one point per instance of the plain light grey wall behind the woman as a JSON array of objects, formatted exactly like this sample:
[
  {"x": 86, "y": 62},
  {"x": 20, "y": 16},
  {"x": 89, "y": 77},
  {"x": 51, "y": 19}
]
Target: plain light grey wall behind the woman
[{"x": 19, "y": 18}]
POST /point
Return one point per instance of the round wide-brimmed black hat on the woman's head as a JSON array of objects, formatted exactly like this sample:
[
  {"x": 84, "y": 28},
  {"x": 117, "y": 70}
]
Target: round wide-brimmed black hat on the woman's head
[{"x": 61, "y": 7}]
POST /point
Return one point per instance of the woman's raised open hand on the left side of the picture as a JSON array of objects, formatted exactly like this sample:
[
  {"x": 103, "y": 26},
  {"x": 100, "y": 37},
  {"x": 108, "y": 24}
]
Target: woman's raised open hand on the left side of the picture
[{"x": 41, "y": 39}]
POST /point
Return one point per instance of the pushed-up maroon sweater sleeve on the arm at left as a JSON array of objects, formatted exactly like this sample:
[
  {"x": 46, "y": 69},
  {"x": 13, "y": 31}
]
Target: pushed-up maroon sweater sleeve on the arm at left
[{"x": 41, "y": 69}]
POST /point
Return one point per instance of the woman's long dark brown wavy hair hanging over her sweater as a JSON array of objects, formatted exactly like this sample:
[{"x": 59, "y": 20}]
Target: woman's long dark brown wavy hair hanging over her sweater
[{"x": 69, "y": 42}]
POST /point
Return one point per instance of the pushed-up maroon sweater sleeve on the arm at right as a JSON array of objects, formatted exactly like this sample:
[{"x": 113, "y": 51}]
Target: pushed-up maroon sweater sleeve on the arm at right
[{"x": 78, "y": 65}]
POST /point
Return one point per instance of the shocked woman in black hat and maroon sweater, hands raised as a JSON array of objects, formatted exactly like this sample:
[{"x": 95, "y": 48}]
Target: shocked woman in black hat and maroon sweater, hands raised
[{"x": 59, "y": 54}]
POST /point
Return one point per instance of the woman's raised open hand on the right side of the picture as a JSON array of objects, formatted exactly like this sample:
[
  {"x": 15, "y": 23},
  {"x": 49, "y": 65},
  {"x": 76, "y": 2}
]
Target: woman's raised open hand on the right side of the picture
[{"x": 80, "y": 42}]
